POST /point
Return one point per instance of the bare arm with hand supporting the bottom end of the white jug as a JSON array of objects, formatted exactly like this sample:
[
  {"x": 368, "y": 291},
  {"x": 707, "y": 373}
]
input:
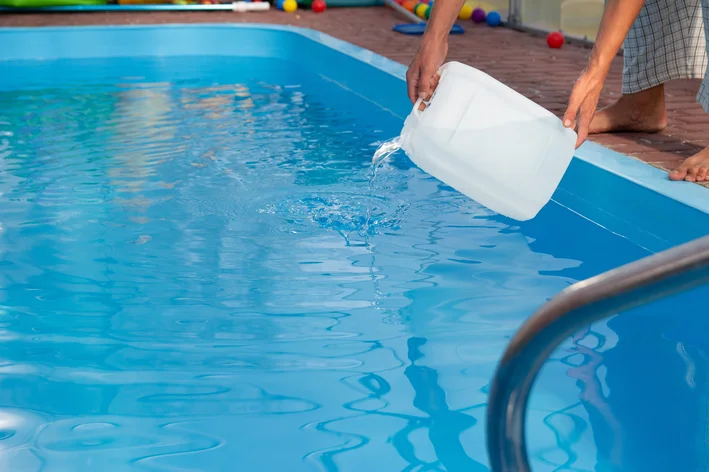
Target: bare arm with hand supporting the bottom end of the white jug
[{"x": 618, "y": 17}]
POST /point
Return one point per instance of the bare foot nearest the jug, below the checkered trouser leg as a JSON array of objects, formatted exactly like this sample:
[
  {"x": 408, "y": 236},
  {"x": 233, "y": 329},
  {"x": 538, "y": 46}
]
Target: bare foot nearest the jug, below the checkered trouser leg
[{"x": 638, "y": 112}]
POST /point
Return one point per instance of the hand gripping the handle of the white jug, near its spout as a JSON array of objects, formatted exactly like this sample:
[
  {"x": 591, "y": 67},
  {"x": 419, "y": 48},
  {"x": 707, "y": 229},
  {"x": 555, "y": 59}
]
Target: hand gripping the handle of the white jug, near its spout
[{"x": 422, "y": 76}]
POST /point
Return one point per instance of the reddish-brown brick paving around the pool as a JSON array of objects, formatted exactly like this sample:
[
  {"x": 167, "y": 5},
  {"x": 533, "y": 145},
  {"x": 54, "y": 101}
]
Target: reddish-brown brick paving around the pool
[{"x": 521, "y": 60}]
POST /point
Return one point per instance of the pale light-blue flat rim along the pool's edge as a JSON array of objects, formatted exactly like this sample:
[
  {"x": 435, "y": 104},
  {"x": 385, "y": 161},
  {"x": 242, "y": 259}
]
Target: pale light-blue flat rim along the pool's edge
[{"x": 624, "y": 166}]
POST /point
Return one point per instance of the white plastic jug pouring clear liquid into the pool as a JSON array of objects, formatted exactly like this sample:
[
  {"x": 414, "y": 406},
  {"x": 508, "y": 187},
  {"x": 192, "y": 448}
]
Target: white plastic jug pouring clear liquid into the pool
[{"x": 489, "y": 142}]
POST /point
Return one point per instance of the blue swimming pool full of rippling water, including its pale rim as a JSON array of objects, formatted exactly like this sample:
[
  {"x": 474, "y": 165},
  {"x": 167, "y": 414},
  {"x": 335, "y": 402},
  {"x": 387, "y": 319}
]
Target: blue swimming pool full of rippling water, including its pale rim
[{"x": 199, "y": 272}]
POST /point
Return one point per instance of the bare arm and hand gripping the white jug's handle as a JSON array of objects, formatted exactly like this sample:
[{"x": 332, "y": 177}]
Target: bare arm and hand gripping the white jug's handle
[{"x": 421, "y": 78}]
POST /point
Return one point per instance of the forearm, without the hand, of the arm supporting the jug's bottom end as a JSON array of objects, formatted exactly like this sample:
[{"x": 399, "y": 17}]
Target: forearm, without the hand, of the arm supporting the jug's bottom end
[{"x": 618, "y": 17}]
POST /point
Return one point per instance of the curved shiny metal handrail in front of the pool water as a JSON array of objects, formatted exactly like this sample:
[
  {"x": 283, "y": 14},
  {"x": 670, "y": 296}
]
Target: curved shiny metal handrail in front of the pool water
[{"x": 658, "y": 276}]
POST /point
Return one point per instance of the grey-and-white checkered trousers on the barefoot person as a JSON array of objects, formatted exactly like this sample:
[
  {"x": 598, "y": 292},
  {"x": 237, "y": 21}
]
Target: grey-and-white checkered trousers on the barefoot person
[{"x": 666, "y": 42}]
